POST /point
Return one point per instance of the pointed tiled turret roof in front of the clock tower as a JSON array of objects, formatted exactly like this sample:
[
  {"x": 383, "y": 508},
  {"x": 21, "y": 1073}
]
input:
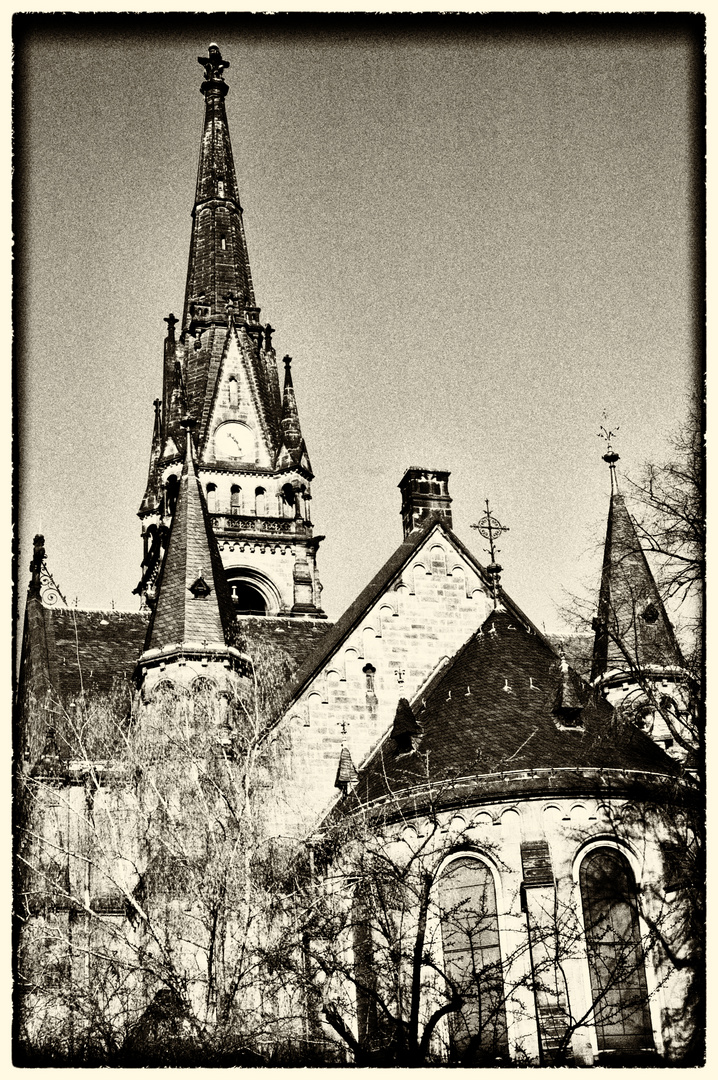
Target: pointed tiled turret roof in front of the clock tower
[{"x": 185, "y": 611}]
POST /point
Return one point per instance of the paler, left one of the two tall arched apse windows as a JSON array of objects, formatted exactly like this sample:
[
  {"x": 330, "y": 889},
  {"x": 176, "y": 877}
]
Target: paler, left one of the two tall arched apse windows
[{"x": 472, "y": 960}]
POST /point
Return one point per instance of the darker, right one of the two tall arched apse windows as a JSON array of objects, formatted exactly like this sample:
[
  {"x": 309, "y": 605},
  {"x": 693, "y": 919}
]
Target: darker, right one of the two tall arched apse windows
[{"x": 616, "y": 955}]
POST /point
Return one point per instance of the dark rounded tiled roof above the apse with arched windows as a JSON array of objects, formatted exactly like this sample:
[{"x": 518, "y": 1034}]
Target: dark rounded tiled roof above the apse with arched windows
[{"x": 494, "y": 710}]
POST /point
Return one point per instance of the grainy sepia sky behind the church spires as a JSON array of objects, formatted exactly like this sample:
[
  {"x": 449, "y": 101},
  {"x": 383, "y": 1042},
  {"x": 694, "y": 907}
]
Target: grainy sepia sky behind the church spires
[{"x": 476, "y": 236}]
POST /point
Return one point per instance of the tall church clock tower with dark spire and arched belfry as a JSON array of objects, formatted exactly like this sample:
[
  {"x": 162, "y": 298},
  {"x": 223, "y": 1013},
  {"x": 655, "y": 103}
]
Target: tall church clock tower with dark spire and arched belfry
[{"x": 221, "y": 369}]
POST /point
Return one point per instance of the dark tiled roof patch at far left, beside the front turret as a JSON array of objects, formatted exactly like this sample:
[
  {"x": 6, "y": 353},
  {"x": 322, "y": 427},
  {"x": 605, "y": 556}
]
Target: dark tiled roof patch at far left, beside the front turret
[{"x": 93, "y": 650}]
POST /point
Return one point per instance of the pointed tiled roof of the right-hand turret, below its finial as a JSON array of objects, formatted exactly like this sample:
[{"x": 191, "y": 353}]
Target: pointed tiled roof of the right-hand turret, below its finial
[{"x": 632, "y": 627}]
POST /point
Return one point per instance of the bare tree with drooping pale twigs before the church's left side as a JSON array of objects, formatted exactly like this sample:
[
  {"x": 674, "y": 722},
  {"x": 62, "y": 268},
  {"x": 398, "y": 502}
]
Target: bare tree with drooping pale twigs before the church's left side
[{"x": 143, "y": 917}]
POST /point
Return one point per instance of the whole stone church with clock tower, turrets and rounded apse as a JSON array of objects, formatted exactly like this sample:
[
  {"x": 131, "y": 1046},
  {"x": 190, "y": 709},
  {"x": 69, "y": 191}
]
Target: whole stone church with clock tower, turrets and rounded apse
[{"x": 540, "y": 800}]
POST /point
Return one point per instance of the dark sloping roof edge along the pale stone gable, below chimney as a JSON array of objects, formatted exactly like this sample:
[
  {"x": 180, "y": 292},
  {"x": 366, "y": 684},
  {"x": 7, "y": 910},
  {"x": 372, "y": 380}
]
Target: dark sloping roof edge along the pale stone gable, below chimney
[{"x": 390, "y": 572}]
